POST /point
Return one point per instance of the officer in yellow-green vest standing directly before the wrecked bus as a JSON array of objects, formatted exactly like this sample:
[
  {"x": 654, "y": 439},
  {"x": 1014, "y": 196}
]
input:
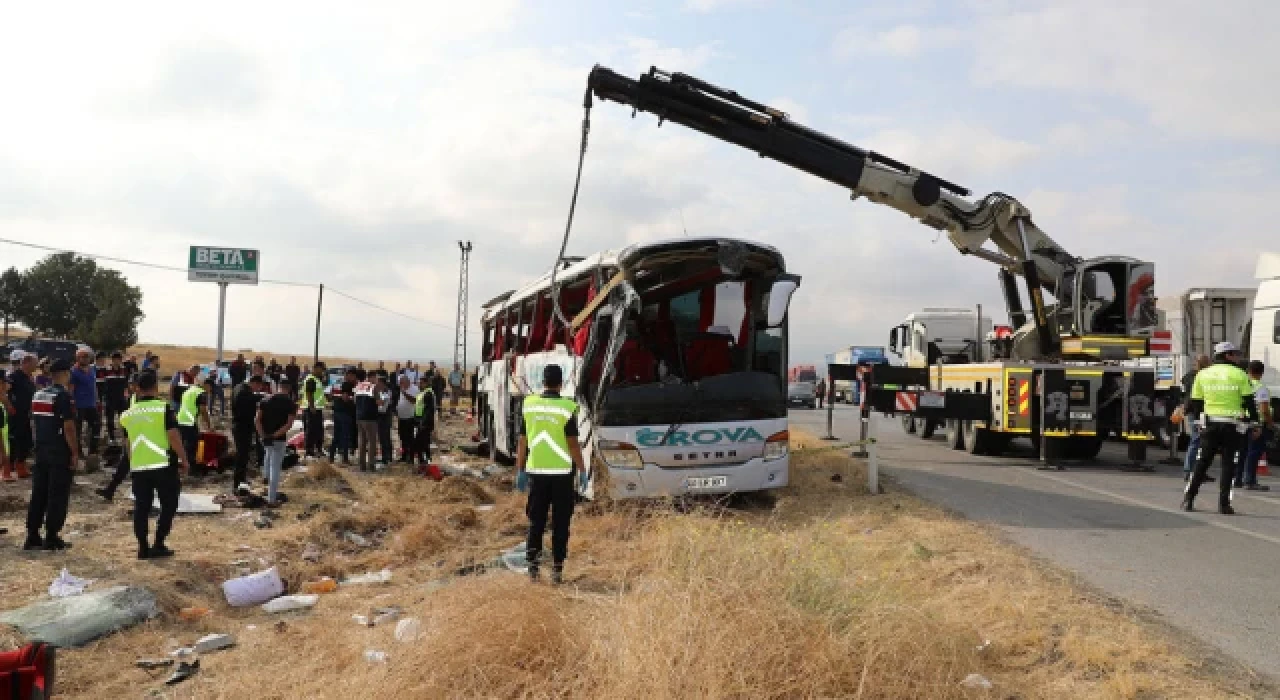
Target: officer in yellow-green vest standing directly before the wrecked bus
[{"x": 551, "y": 456}]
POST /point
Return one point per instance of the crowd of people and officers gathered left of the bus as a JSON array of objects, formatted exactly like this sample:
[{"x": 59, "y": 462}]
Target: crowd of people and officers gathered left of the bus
[{"x": 56, "y": 415}]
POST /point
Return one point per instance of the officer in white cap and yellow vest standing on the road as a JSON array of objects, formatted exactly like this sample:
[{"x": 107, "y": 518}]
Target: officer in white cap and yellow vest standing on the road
[{"x": 1223, "y": 396}]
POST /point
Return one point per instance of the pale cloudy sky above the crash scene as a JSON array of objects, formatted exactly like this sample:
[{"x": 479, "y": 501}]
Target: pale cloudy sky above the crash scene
[{"x": 354, "y": 147}]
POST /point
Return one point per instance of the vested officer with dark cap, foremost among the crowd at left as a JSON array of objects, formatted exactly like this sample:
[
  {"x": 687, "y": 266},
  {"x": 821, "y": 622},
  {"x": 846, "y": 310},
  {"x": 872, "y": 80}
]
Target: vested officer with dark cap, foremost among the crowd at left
[{"x": 157, "y": 456}]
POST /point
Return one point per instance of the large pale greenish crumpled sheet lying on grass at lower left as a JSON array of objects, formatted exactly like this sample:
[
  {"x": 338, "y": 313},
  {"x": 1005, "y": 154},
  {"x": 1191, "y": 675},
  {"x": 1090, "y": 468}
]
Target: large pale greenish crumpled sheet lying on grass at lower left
[{"x": 81, "y": 619}]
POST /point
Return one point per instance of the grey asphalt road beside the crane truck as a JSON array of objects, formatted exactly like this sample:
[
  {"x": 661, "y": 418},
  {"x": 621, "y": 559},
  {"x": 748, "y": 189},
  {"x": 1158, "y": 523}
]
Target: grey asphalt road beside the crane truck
[{"x": 1215, "y": 577}]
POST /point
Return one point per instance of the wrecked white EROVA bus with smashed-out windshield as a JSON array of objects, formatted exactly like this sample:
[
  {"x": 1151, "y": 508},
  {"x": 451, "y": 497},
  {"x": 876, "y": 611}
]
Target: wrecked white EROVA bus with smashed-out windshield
[{"x": 679, "y": 365}]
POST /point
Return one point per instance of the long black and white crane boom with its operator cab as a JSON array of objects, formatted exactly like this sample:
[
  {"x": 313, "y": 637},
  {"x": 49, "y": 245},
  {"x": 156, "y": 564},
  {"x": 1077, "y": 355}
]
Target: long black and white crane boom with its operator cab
[{"x": 1021, "y": 248}]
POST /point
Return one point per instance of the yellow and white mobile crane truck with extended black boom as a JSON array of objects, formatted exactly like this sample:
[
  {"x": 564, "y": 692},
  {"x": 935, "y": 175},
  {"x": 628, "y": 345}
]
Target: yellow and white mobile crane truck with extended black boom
[{"x": 1057, "y": 379}]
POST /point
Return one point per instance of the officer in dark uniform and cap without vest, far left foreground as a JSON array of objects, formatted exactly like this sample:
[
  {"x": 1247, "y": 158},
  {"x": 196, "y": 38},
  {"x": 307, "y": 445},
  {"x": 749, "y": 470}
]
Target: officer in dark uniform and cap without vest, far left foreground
[{"x": 57, "y": 454}]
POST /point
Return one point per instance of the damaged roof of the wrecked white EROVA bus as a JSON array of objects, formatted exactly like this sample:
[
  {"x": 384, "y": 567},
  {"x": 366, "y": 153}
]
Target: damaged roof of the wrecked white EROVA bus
[{"x": 641, "y": 255}]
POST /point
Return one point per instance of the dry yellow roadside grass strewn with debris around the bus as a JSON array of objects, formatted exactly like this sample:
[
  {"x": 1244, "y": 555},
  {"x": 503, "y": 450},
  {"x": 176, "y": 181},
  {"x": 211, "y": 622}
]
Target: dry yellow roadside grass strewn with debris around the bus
[{"x": 824, "y": 592}]
